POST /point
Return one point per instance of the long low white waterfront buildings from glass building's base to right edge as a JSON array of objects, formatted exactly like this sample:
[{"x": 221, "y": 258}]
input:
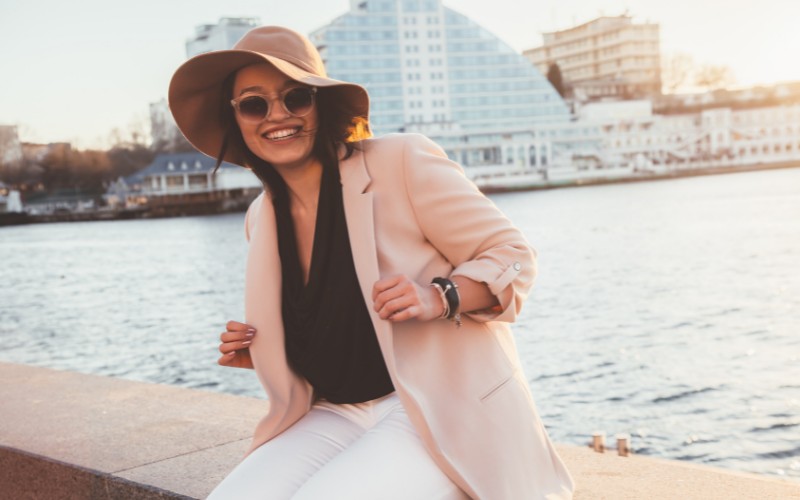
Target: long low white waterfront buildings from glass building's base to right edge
[{"x": 625, "y": 139}]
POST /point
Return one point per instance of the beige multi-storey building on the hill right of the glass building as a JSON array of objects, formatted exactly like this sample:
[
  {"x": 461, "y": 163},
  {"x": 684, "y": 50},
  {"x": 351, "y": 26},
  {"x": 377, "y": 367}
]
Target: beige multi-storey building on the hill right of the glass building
[{"x": 605, "y": 57}]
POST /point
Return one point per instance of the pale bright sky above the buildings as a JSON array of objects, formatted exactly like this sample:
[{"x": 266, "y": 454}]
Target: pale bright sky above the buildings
[{"x": 75, "y": 70}]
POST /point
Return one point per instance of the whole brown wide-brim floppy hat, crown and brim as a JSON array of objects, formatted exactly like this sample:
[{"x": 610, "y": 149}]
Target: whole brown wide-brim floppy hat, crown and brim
[{"x": 195, "y": 92}]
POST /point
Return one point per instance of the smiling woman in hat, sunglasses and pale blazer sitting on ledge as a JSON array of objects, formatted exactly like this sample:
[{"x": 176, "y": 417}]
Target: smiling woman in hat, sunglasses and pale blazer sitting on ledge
[{"x": 380, "y": 284}]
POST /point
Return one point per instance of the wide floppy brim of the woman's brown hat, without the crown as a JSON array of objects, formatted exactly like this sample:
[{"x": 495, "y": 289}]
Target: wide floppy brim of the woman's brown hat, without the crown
[{"x": 195, "y": 95}]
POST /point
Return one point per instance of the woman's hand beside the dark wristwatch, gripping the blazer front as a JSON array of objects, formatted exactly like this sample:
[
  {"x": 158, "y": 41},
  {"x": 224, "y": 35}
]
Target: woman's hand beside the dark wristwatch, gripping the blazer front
[{"x": 398, "y": 298}]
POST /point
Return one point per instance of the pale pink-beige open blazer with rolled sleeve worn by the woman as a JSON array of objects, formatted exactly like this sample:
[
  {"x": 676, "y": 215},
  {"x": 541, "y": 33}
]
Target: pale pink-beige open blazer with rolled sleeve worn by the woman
[{"x": 410, "y": 210}]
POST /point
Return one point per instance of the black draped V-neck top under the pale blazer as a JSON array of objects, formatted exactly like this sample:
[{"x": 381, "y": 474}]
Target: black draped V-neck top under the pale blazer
[{"x": 329, "y": 336}]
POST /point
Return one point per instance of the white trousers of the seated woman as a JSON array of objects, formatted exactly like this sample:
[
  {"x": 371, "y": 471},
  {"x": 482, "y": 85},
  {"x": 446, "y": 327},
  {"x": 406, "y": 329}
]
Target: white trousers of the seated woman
[{"x": 364, "y": 451}]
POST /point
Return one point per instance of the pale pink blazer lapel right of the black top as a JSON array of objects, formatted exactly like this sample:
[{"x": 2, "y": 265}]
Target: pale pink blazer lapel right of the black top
[{"x": 358, "y": 210}]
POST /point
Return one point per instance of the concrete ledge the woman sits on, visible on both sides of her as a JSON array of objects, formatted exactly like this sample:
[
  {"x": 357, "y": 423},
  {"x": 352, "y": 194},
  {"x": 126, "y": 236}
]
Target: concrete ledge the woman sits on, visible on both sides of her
[{"x": 69, "y": 435}]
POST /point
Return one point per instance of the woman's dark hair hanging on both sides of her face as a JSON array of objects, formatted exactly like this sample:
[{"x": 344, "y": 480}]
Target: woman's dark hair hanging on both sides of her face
[{"x": 336, "y": 127}]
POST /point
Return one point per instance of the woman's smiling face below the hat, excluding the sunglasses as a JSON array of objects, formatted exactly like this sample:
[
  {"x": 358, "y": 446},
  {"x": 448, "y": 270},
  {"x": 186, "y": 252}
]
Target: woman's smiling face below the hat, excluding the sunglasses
[{"x": 281, "y": 139}]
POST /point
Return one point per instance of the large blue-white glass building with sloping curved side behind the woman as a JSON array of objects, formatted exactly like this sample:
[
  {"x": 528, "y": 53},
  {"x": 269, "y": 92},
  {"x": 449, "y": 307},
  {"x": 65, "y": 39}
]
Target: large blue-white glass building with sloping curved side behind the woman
[{"x": 430, "y": 69}]
